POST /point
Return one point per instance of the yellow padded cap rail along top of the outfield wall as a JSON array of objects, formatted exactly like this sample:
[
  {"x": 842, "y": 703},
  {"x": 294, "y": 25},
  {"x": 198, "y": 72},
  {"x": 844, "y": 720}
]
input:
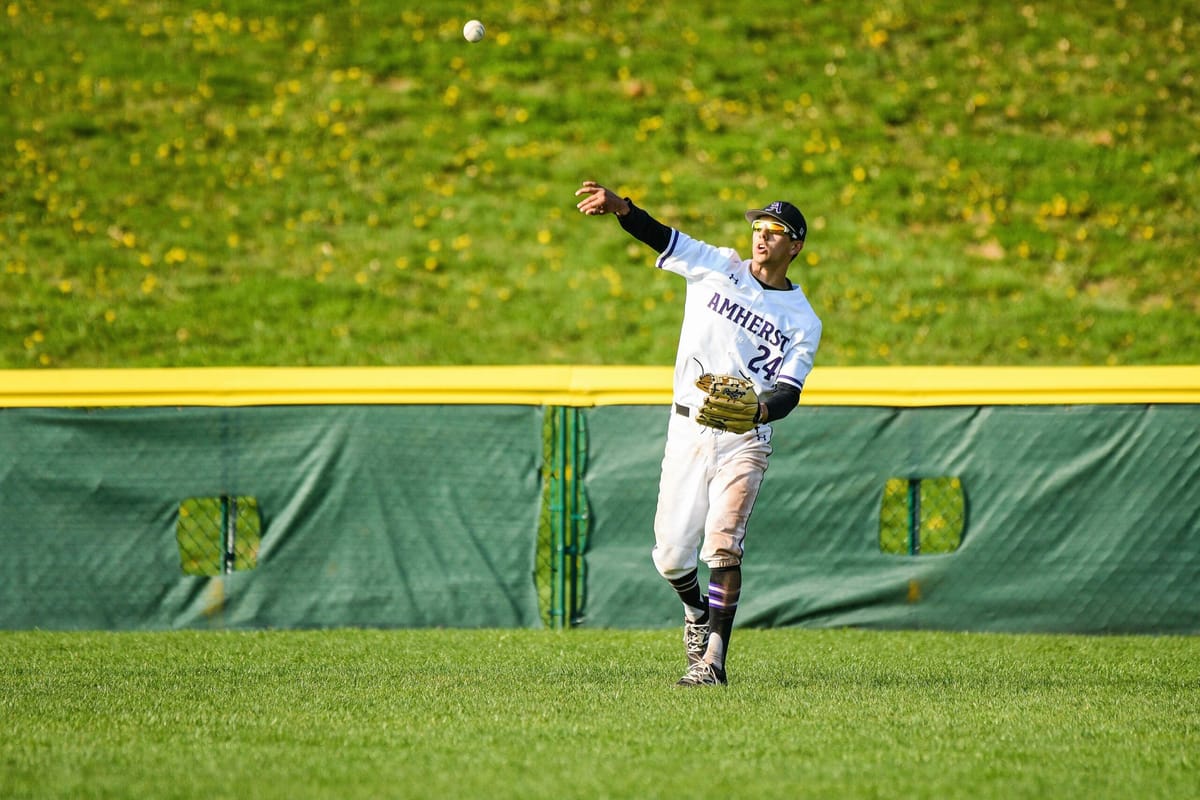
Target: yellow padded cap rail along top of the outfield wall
[{"x": 581, "y": 387}]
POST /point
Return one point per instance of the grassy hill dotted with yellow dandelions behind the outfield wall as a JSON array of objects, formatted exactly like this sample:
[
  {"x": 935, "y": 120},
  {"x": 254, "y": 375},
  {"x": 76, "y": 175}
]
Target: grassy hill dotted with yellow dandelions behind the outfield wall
[{"x": 250, "y": 183}]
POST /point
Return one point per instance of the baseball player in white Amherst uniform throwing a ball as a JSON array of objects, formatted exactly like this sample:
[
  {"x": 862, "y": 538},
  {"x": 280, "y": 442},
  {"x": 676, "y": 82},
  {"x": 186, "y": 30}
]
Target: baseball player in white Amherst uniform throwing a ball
[{"x": 746, "y": 348}]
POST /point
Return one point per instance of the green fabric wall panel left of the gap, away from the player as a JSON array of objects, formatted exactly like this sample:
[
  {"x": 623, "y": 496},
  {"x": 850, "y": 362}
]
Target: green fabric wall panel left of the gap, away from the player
[{"x": 371, "y": 516}]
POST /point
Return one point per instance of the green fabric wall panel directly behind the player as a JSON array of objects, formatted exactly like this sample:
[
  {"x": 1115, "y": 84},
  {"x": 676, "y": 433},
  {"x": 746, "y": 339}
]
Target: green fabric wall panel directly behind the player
[{"x": 1082, "y": 519}]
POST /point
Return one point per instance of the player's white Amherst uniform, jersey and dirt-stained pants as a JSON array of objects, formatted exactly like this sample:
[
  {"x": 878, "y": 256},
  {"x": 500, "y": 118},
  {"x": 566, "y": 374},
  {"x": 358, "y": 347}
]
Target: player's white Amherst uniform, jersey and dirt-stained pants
[{"x": 733, "y": 326}]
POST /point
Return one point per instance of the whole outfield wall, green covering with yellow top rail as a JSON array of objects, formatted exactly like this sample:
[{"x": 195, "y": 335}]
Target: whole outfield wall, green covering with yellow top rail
[{"x": 393, "y": 497}]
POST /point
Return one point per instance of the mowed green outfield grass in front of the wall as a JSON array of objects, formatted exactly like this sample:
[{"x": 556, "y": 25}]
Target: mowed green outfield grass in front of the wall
[{"x": 595, "y": 714}]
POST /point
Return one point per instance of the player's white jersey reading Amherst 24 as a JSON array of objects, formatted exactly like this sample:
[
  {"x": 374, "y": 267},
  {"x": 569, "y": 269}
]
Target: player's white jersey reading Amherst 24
[{"x": 733, "y": 326}]
